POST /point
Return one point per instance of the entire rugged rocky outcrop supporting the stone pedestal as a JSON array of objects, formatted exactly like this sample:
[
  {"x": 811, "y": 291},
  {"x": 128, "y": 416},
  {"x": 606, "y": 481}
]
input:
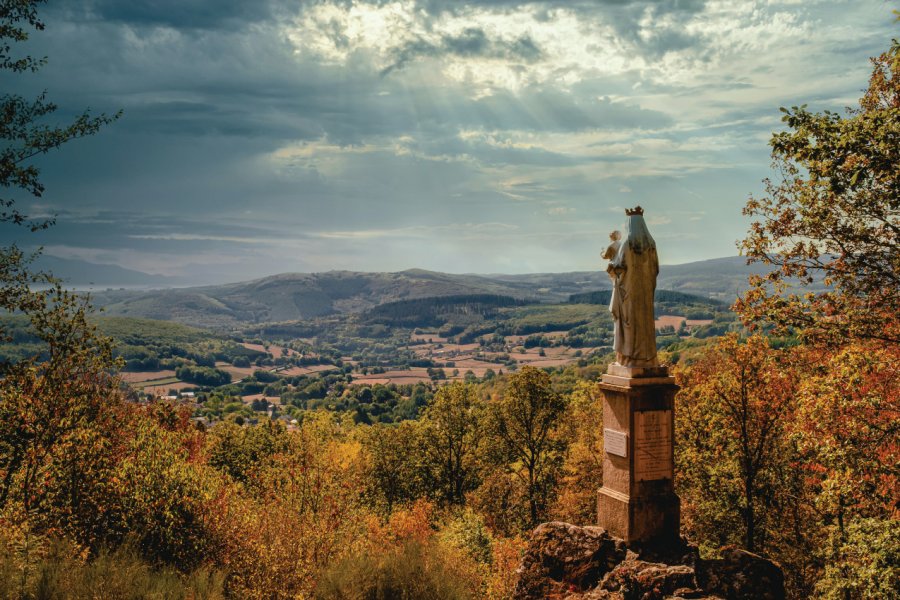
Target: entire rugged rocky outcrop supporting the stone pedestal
[{"x": 567, "y": 562}]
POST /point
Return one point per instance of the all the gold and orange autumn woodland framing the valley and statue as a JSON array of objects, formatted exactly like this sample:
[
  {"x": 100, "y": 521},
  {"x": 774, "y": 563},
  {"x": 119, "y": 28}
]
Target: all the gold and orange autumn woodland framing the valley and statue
[{"x": 787, "y": 449}]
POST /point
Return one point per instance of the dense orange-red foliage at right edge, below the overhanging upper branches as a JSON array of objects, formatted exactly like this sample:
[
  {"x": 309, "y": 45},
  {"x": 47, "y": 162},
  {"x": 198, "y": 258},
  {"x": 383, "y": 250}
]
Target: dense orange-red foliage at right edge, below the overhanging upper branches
[{"x": 848, "y": 430}]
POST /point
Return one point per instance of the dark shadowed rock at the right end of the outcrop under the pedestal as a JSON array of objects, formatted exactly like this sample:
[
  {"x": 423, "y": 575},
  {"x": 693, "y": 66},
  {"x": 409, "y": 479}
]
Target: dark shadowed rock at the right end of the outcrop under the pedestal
[{"x": 741, "y": 575}]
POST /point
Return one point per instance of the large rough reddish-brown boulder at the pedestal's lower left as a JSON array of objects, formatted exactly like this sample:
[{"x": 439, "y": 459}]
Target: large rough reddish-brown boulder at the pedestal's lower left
[{"x": 563, "y": 558}]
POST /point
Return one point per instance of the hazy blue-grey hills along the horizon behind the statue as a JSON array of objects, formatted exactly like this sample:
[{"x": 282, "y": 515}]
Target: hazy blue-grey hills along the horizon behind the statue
[{"x": 294, "y": 296}]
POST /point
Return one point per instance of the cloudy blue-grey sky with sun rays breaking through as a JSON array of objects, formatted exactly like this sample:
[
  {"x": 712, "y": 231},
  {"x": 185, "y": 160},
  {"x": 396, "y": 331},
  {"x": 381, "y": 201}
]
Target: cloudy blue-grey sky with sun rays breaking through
[{"x": 494, "y": 136}]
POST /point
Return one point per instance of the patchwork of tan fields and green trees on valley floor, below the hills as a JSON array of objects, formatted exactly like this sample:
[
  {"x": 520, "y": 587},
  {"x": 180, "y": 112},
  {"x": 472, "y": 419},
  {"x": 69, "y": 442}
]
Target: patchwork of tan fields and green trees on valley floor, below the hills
[{"x": 382, "y": 365}]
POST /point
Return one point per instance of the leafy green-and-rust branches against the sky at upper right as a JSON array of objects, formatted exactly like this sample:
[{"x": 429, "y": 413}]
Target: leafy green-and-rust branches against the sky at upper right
[{"x": 833, "y": 214}]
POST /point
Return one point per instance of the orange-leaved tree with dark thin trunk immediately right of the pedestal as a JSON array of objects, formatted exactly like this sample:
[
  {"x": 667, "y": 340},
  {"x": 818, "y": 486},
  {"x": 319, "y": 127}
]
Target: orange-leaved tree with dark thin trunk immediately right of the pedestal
[{"x": 733, "y": 407}]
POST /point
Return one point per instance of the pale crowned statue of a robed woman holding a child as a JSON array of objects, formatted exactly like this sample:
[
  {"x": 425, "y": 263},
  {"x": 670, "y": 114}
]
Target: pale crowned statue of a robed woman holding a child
[{"x": 634, "y": 269}]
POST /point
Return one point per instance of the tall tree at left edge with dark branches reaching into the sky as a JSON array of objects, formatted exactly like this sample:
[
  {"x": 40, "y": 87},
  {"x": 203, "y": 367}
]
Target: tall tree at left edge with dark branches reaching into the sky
[{"x": 54, "y": 406}]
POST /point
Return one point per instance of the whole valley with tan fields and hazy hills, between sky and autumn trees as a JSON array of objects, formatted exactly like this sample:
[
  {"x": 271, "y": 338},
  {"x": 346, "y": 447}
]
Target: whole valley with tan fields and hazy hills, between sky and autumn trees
[{"x": 376, "y": 345}]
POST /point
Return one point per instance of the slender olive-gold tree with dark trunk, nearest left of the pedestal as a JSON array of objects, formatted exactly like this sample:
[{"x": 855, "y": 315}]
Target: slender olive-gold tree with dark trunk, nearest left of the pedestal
[{"x": 524, "y": 421}]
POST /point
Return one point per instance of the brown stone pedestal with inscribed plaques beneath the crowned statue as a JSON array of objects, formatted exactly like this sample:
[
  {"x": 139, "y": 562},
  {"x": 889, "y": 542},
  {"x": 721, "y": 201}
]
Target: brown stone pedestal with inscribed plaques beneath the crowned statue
[{"x": 637, "y": 501}]
